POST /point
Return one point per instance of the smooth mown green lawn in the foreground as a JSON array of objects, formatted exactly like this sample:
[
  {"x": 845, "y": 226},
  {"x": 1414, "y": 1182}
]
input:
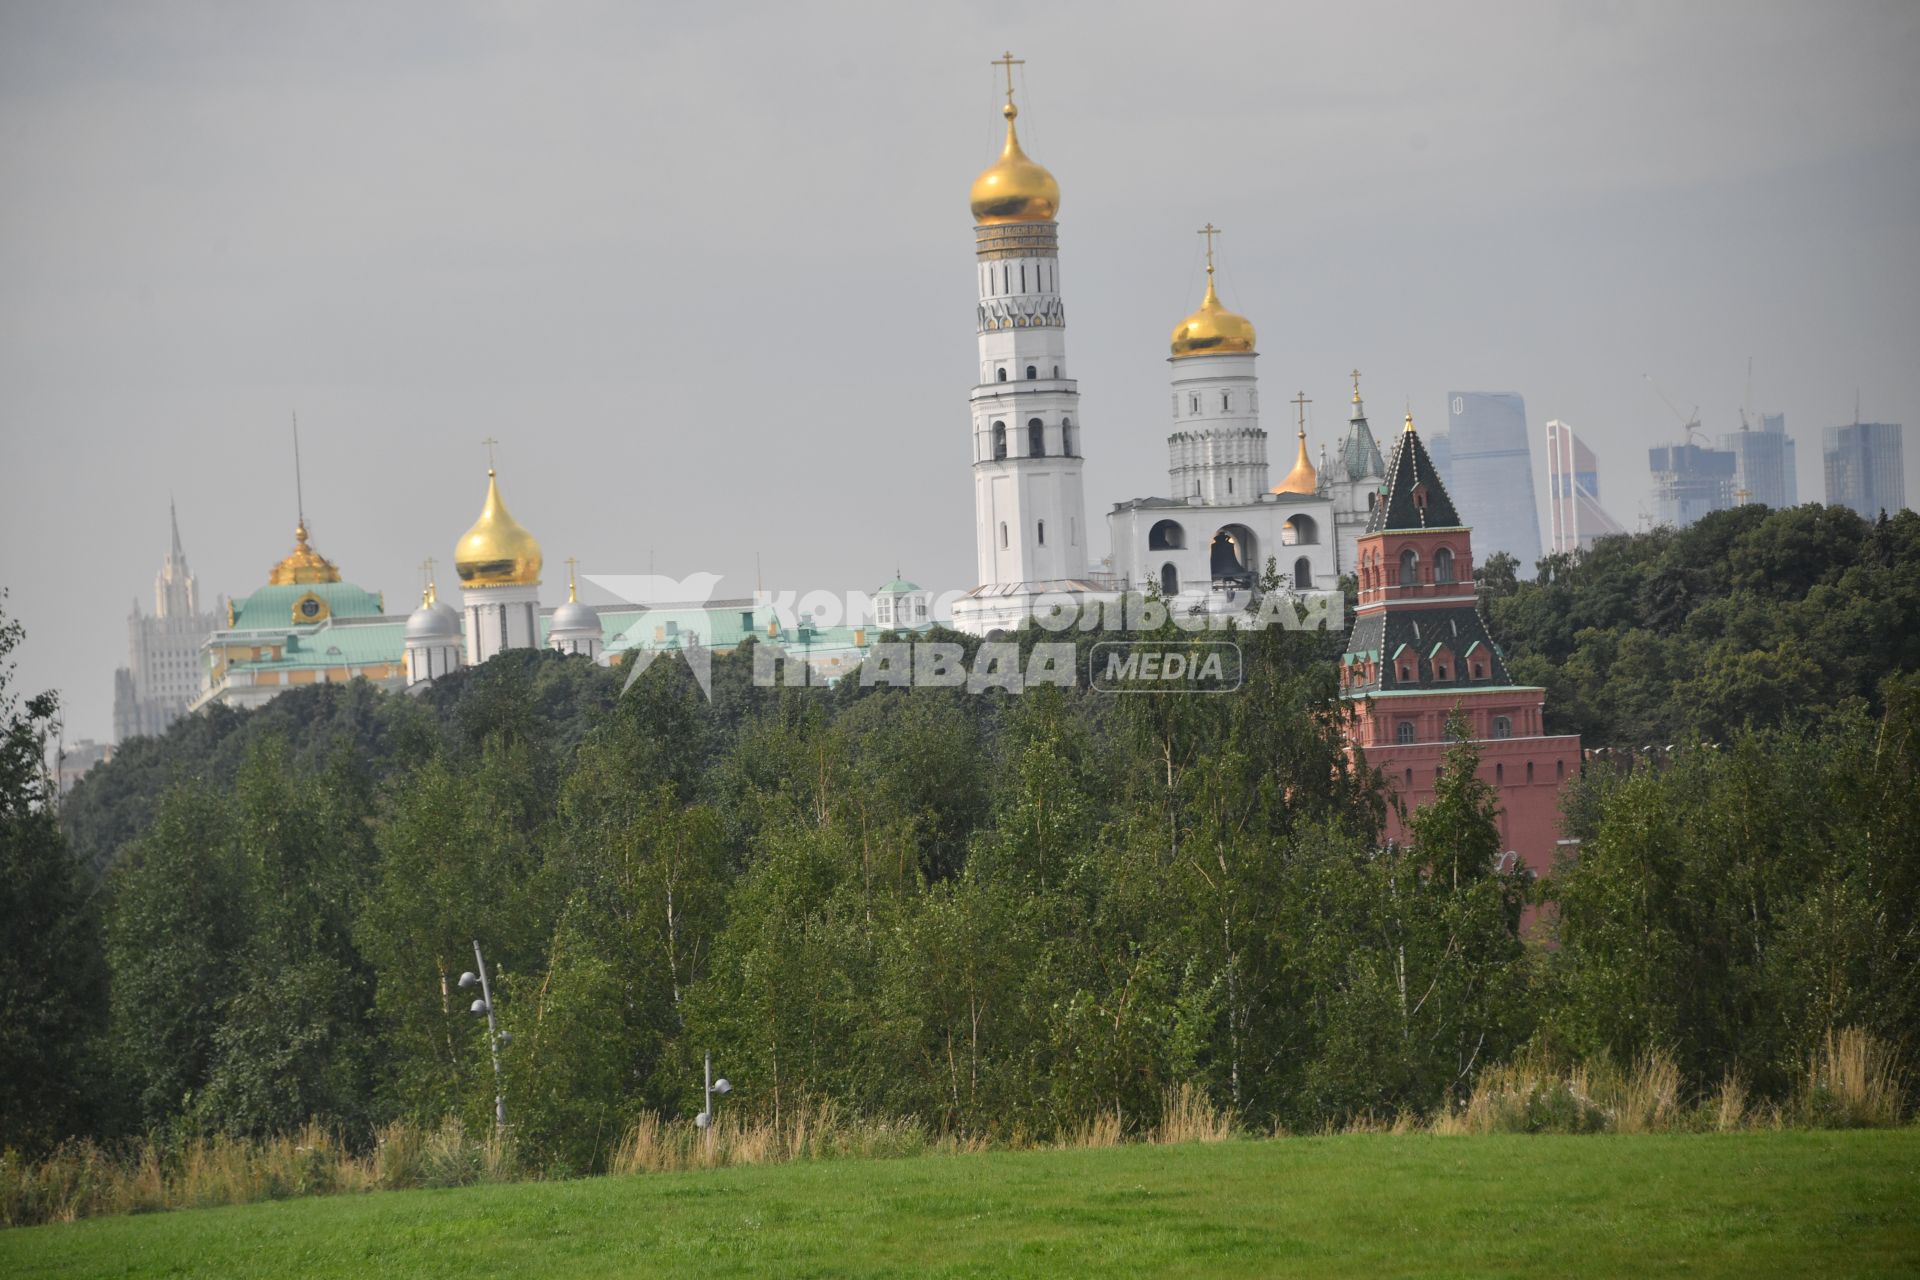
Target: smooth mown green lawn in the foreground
[{"x": 1765, "y": 1204}]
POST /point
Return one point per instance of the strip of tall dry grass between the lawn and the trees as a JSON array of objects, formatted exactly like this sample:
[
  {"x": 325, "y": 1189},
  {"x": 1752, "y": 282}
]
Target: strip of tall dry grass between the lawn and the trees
[{"x": 1852, "y": 1081}]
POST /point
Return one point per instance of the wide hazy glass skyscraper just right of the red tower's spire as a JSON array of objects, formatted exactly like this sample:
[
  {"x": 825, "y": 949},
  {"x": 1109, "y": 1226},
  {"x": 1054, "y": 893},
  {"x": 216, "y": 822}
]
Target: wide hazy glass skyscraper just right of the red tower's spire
[{"x": 1491, "y": 475}]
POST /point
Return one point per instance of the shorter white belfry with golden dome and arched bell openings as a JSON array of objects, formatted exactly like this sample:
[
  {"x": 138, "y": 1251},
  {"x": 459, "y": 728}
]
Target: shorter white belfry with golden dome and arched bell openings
[{"x": 1212, "y": 540}]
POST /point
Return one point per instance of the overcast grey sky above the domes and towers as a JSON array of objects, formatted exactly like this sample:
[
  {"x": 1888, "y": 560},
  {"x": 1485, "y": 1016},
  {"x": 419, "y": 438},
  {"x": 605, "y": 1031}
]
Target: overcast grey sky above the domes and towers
[{"x": 708, "y": 275}]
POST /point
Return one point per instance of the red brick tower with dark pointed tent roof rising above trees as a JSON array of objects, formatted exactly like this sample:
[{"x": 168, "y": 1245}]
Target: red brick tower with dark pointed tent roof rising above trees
[{"x": 1420, "y": 650}]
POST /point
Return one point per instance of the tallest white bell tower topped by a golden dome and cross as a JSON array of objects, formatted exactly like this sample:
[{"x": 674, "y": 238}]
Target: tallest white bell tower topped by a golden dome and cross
[{"x": 1030, "y": 519}]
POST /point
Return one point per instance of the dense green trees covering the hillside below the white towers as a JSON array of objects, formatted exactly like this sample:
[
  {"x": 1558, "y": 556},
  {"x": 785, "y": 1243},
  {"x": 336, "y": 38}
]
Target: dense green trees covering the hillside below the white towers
[{"x": 994, "y": 914}]
